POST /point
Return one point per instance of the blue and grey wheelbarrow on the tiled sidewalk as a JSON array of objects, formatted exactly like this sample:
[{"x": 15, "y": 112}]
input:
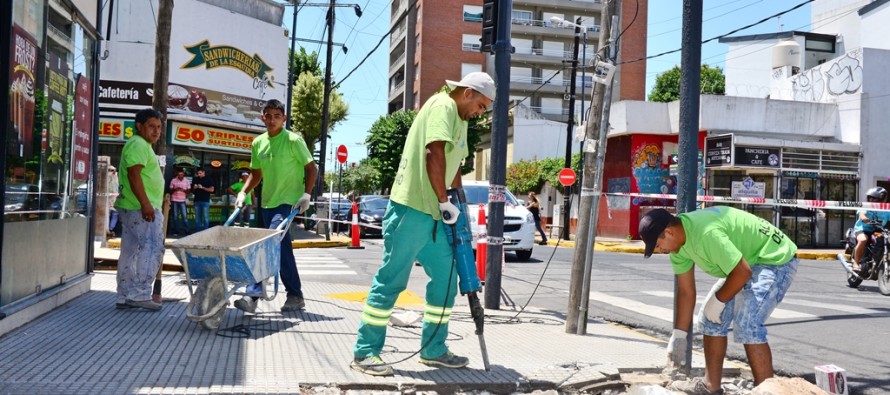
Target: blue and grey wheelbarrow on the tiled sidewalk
[{"x": 222, "y": 255}]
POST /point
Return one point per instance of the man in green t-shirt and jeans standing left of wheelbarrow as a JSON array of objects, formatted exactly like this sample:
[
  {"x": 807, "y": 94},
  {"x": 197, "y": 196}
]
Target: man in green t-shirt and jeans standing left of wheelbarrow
[{"x": 139, "y": 206}]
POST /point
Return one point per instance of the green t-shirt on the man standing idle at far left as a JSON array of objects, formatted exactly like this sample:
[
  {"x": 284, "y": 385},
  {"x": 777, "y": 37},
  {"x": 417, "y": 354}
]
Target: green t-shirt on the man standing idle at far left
[{"x": 138, "y": 151}]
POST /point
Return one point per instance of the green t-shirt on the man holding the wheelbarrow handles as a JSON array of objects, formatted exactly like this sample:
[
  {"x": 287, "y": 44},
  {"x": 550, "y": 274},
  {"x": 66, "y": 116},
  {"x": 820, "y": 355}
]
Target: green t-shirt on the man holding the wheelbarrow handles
[{"x": 282, "y": 159}]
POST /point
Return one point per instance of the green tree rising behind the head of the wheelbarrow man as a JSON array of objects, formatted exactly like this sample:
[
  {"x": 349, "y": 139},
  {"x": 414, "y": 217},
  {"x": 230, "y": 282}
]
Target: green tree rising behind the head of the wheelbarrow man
[{"x": 306, "y": 108}]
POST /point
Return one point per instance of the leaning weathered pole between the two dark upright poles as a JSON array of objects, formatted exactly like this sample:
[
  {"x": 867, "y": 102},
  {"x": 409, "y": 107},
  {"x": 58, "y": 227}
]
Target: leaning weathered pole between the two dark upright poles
[{"x": 594, "y": 156}]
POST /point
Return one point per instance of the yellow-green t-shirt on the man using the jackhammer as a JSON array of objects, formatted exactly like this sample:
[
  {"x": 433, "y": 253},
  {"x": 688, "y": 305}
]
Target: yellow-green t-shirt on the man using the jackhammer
[{"x": 438, "y": 120}]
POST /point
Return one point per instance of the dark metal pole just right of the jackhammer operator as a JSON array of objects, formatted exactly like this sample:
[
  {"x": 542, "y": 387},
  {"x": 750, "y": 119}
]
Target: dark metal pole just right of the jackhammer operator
[{"x": 500, "y": 14}]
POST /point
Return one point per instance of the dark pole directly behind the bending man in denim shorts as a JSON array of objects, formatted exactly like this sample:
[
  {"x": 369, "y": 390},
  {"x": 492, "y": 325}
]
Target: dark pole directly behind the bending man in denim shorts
[{"x": 690, "y": 88}]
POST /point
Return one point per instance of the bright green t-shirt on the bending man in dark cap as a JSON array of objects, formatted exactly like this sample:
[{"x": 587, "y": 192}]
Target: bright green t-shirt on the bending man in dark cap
[{"x": 718, "y": 237}]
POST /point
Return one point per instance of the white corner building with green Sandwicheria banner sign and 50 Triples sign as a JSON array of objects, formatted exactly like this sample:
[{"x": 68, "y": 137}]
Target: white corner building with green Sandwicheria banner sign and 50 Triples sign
[{"x": 221, "y": 74}]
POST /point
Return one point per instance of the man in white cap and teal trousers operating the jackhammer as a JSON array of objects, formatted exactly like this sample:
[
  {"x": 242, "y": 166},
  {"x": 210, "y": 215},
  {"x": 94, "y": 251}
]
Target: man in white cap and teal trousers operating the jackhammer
[{"x": 414, "y": 225}]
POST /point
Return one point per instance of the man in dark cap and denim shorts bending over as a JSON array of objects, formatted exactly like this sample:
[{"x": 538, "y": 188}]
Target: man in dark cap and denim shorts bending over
[{"x": 755, "y": 263}]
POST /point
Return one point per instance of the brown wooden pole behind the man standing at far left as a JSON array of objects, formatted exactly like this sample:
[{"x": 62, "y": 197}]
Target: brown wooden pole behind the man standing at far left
[{"x": 159, "y": 102}]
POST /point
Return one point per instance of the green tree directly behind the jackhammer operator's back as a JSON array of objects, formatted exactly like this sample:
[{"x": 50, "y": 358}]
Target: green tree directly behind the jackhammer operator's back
[{"x": 385, "y": 142}]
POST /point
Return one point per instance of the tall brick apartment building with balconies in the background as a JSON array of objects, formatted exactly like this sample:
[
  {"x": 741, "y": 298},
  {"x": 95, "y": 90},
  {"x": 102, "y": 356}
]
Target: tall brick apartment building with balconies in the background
[{"x": 438, "y": 40}]
